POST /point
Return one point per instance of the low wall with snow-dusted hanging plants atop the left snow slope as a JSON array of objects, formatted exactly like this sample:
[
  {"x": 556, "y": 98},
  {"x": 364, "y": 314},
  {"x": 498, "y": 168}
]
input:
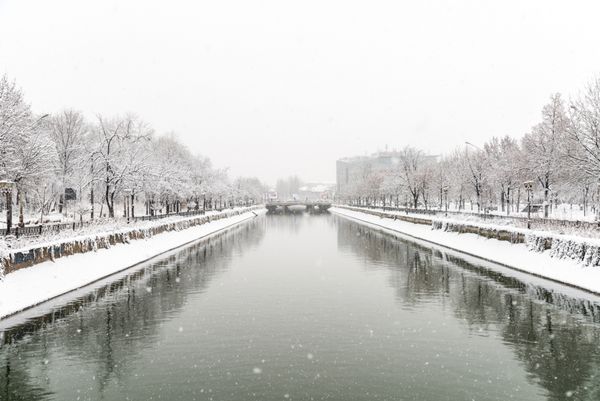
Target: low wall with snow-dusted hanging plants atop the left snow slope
[{"x": 38, "y": 254}]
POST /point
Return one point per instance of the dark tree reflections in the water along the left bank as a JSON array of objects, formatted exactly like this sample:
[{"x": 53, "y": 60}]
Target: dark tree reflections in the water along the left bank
[{"x": 110, "y": 326}]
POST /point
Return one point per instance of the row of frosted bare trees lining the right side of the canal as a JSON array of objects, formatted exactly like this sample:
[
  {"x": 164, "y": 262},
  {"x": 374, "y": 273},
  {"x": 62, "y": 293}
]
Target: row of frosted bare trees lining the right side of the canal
[{"x": 559, "y": 157}]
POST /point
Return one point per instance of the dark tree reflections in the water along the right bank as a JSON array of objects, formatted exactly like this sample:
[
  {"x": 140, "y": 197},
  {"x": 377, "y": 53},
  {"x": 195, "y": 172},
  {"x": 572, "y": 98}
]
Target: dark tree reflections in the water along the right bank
[{"x": 554, "y": 335}]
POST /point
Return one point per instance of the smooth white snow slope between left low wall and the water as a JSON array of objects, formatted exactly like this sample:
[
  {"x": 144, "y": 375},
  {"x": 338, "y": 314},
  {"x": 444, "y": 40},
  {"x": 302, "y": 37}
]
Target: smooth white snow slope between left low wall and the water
[{"x": 28, "y": 287}]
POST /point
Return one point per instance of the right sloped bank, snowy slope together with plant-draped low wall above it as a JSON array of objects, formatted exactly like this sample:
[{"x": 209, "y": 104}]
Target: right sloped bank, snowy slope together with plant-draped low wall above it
[{"x": 563, "y": 259}]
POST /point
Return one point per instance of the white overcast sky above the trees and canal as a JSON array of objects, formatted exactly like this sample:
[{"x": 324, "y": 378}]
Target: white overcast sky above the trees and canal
[{"x": 273, "y": 88}]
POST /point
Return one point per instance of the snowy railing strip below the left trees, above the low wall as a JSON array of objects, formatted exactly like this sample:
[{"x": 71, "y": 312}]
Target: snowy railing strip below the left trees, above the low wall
[{"x": 39, "y": 229}]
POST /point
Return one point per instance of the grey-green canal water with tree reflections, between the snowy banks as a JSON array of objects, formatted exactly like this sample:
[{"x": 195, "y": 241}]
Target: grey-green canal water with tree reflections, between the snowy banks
[{"x": 309, "y": 308}]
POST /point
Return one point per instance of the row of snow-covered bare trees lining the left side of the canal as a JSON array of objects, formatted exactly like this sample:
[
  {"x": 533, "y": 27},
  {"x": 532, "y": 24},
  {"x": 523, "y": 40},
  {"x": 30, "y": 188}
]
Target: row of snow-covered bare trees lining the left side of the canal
[{"x": 49, "y": 160}]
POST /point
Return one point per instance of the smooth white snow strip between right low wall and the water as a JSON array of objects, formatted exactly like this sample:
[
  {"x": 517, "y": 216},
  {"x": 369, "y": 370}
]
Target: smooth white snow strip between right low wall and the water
[{"x": 515, "y": 256}]
